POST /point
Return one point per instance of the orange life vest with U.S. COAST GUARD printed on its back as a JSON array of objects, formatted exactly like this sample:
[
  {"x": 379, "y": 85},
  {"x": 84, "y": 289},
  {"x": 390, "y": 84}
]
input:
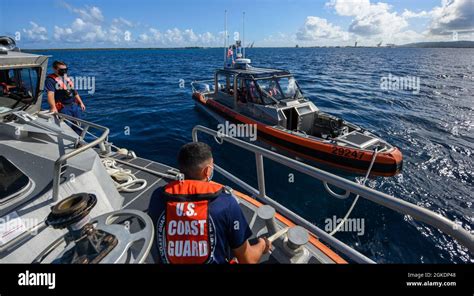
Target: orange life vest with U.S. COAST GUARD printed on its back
[{"x": 186, "y": 233}]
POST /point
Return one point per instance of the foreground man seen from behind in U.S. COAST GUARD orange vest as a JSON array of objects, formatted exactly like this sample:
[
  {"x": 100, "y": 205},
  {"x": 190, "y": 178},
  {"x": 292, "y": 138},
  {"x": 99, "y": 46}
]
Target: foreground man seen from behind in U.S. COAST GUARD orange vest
[{"x": 199, "y": 221}]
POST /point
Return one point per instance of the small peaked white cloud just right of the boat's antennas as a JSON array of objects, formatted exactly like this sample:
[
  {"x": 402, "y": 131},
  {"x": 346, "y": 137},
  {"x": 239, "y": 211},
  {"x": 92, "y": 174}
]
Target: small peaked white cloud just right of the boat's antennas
[{"x": 316, "y": 28}]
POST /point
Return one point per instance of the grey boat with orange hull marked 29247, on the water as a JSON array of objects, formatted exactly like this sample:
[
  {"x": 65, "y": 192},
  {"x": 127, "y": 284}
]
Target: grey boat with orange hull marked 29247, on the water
[{"x": 271, "y": 102}]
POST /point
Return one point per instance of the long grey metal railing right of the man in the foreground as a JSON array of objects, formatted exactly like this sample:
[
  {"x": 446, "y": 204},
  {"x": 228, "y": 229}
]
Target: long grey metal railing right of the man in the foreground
[{"x": 463, "y": 236}]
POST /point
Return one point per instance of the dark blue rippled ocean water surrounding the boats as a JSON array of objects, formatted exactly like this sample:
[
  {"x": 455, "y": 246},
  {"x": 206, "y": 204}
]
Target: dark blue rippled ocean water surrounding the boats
[{"x": 144, "y": 97}]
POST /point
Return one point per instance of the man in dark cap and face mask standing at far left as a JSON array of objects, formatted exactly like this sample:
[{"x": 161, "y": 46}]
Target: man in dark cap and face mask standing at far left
[{"x": 62, "y": 97}]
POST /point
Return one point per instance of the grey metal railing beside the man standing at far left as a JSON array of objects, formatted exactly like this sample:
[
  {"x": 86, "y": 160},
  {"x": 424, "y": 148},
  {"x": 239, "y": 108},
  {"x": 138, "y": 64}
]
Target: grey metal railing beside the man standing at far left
[{"x": 84, "y": 126}]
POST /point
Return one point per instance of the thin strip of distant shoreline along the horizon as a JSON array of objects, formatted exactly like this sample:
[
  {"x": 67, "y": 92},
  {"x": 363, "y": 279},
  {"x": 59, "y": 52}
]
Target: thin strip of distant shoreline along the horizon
[{"x": 445, "y": 44}]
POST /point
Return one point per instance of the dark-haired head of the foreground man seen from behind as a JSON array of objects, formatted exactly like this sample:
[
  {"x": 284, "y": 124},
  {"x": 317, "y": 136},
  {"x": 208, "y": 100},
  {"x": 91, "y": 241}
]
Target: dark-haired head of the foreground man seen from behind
[{"x": 195, "y": 161}]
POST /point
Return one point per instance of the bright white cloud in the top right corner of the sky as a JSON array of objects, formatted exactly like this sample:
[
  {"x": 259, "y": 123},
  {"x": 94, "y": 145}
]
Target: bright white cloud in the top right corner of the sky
[{"x": 452, "y": 15}]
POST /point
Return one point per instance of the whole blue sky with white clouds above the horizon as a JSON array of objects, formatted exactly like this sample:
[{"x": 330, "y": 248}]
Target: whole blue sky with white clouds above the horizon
[{"x": 139, "y": 23}]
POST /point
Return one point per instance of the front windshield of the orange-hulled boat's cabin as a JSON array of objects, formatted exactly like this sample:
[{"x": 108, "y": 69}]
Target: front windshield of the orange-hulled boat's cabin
[{"x": 276, "y": 89}]
